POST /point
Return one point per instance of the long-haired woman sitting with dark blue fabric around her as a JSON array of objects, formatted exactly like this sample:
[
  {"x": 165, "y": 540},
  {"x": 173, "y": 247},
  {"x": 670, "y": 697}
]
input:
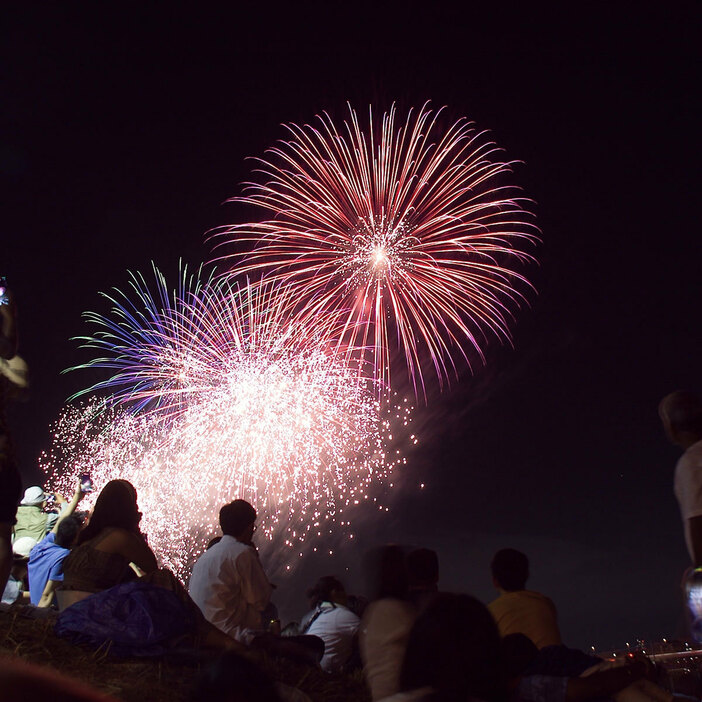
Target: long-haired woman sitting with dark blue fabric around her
[{"x": 113, "y": 560}]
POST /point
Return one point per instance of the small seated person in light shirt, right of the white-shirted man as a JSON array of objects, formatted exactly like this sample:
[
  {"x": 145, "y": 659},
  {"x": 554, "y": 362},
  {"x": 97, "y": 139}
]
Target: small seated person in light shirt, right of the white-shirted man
[{"x": 332, "y": 621}]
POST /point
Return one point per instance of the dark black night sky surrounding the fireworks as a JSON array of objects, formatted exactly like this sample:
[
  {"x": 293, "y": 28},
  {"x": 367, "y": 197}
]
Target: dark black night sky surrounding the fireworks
[{"x": 123, "y": 131}]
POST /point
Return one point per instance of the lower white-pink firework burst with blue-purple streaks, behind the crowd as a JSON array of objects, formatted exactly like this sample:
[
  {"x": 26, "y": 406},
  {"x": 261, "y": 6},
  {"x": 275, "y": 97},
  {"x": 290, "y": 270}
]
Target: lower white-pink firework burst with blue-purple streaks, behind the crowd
[{"x": 236, "y": 399}]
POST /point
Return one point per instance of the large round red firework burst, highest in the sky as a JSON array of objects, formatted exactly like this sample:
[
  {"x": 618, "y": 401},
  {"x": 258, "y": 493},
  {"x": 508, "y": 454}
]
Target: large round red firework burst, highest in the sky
[{"x": 401, "y": 231}]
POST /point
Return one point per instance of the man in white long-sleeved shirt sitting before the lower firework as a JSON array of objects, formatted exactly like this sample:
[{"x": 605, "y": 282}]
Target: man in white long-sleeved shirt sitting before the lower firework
[{"x": 228, "y": 582}]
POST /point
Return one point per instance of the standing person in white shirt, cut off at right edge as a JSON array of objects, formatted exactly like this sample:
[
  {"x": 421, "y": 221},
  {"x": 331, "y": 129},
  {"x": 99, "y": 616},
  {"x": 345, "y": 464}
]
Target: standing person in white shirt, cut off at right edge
[{"x": 681, "y": 414}]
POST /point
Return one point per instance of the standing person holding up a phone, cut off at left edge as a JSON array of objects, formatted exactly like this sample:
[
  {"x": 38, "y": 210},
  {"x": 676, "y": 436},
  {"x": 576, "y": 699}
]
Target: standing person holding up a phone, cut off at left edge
[{"x": 10, "y": 482}]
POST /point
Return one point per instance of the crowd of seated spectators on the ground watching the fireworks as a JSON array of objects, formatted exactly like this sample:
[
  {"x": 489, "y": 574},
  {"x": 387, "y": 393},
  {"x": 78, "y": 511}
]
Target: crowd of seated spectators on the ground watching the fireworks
[{"x": 409, "y": 640}]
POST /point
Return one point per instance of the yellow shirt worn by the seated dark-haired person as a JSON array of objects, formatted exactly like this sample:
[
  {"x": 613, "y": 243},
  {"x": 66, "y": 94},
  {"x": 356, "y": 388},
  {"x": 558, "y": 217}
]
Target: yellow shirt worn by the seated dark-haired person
[{"x": 527, "y": 612}]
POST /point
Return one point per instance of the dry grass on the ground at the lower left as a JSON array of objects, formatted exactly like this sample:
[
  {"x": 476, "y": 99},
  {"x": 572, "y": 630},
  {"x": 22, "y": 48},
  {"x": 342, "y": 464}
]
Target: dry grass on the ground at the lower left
[{"x": 137, "y": 680}]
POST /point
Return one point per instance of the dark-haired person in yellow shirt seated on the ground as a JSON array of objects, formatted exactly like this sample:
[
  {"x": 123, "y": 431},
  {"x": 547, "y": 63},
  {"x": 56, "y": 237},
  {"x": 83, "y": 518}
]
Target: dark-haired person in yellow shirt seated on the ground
[{"x": 517, "y": 610}]
